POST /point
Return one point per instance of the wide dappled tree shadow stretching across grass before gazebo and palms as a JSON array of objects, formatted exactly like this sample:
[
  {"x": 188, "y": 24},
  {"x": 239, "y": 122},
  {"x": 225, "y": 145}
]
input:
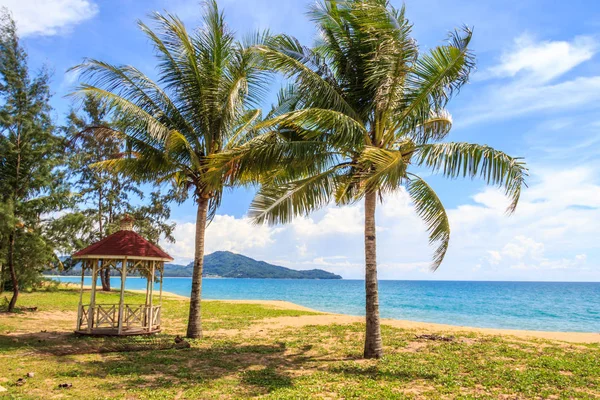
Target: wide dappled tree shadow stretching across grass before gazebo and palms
[{"x": 249, "y": 369}]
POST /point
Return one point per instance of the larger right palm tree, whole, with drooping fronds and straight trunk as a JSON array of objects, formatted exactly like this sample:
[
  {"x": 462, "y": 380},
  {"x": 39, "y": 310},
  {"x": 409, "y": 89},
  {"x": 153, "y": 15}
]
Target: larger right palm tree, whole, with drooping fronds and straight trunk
[{"x": 365, "y": 112}]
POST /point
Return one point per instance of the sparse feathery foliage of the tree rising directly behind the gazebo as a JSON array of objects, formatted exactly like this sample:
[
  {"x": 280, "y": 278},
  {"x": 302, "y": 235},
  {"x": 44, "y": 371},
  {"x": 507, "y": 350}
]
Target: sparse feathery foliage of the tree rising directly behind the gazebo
[{"x": 104, "y": 197}]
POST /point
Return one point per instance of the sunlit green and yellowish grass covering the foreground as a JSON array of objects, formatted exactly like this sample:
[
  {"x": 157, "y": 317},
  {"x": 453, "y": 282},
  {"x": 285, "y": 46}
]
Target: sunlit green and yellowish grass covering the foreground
[{"x": 242, "y": 356}]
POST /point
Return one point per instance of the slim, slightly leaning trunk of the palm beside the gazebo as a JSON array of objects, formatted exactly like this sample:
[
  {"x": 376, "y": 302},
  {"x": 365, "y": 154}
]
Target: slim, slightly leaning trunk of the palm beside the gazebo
[{"x": 194, "y": 330}]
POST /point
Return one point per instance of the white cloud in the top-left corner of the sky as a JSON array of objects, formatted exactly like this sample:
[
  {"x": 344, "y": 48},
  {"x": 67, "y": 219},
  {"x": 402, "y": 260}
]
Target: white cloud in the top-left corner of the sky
[{"x": 49, "y": 17}]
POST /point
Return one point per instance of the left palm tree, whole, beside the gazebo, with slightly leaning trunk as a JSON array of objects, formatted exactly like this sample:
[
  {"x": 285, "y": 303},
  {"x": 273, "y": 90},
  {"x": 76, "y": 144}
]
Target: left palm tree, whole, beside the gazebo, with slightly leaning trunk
[{"x": 199, "y": 106}]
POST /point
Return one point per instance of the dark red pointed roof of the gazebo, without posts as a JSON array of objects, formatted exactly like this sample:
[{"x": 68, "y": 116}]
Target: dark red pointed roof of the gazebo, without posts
[{"x": 124, "y": 243}]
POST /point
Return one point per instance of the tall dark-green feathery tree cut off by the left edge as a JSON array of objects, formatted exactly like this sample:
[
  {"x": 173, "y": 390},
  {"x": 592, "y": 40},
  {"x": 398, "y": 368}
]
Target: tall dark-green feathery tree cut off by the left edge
[{"x": 31, "y": 182}]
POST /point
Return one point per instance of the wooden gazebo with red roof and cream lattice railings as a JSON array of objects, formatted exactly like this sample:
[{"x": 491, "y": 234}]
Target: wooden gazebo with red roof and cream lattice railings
[{"x": 127, "y": 252}]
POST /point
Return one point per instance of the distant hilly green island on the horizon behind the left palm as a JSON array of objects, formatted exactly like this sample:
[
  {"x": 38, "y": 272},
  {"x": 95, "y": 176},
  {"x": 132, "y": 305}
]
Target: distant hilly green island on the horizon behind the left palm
[{"x": 225, "y": 264}]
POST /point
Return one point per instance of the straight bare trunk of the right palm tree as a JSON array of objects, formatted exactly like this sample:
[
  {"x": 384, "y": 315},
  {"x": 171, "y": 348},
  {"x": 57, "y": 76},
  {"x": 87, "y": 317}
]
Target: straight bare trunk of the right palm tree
[{"x": 373, "y": 345}]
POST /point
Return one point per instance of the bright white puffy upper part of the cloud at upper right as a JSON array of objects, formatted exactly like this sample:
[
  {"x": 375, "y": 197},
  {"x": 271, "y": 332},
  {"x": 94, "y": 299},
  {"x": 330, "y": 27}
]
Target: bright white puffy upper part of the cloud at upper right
[{"x": 545, "y": 60}]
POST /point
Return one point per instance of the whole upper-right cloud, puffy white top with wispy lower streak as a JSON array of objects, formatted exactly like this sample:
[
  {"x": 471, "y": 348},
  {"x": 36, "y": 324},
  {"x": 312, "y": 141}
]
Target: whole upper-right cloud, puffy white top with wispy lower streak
[{"x": 522, "y": 81}]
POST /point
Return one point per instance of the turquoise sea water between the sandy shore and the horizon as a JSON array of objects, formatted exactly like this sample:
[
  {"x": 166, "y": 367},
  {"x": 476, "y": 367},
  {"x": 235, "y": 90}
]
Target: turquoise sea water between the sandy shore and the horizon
[{"x": 548, "y": 306}]
